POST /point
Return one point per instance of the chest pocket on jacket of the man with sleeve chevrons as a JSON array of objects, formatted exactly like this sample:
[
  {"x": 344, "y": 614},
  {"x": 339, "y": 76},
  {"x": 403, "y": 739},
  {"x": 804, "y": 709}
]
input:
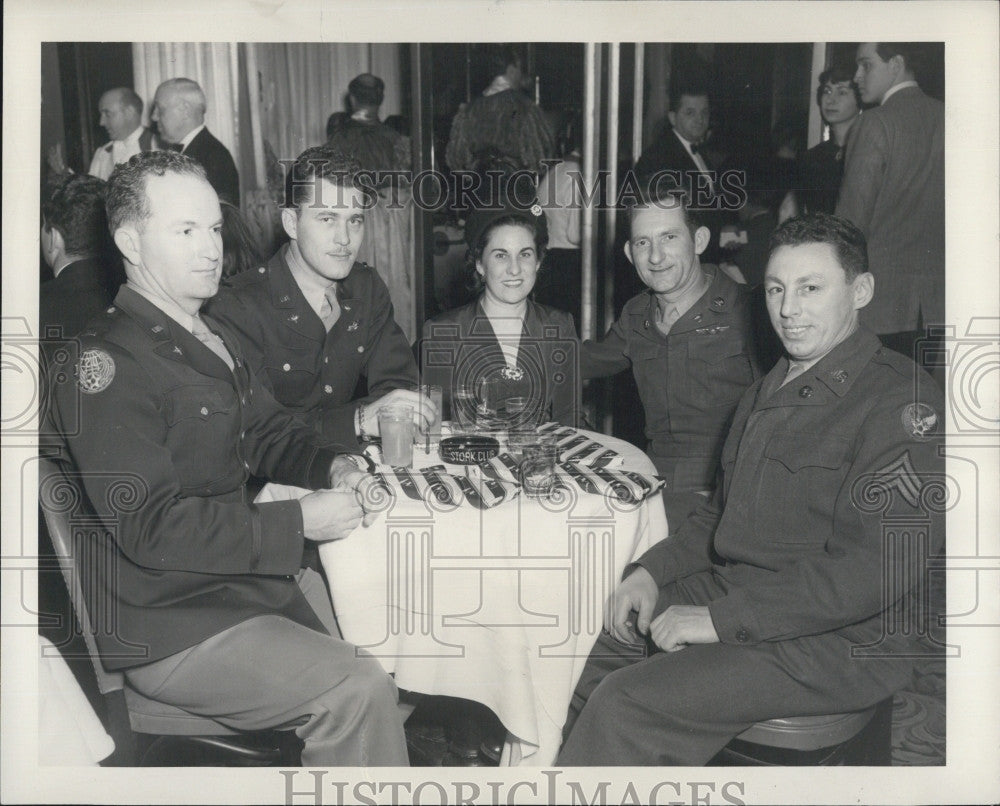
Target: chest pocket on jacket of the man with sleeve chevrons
[{"x": 801, "y": 478}]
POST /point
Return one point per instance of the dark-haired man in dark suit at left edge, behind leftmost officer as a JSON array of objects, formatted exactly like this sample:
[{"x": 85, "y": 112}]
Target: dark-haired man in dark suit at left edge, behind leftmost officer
[{"x": 75, "y": 245}]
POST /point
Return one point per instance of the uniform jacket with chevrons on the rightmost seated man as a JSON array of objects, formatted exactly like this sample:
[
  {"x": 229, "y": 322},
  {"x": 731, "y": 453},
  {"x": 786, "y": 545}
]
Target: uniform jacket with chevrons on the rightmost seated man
[{"x": 829, "y": 484}]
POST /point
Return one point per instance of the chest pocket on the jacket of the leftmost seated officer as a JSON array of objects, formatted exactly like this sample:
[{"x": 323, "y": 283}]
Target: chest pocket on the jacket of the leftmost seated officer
[{"x": 203, "y": 425}]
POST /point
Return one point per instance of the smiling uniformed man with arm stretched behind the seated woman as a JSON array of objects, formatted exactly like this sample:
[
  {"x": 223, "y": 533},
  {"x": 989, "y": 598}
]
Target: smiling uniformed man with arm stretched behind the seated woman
[{"x": 688, "y": 340}]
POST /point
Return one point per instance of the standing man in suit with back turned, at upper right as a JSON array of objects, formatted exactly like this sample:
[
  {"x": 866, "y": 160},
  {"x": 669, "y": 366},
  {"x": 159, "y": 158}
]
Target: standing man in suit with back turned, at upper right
[{"x": 893, "y": 190}]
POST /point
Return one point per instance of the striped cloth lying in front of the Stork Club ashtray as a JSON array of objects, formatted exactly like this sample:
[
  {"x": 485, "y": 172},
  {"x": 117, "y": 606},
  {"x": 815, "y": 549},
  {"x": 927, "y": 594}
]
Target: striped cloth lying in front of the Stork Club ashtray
[{"x": 446, "y": 488}]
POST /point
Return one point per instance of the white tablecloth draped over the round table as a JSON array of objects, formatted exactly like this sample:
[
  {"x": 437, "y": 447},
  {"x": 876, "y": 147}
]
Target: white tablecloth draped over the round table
[{"x": 500, "y": 605}]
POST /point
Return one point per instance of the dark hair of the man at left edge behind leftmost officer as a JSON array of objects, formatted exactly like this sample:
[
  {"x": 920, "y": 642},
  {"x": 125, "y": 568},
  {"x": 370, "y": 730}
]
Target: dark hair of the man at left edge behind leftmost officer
[{"x": 76, "y": 210}]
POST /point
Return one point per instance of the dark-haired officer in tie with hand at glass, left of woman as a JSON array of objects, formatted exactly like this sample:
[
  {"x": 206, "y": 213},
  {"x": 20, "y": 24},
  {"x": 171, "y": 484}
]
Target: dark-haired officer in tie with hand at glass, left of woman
[{"x": 313, "y": 321}]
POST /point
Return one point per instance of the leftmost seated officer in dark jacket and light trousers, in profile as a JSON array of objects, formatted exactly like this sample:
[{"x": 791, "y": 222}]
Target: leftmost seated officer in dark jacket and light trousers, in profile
[{"x": 212, "y": 612}]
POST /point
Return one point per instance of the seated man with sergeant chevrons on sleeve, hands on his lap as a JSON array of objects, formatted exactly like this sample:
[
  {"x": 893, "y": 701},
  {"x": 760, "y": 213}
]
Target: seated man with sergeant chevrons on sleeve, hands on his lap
[{"x": 752, "y": 609}]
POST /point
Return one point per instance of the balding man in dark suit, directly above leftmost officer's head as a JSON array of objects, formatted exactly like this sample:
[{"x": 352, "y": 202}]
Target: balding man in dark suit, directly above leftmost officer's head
[{"x": 179, "y": 113}]
